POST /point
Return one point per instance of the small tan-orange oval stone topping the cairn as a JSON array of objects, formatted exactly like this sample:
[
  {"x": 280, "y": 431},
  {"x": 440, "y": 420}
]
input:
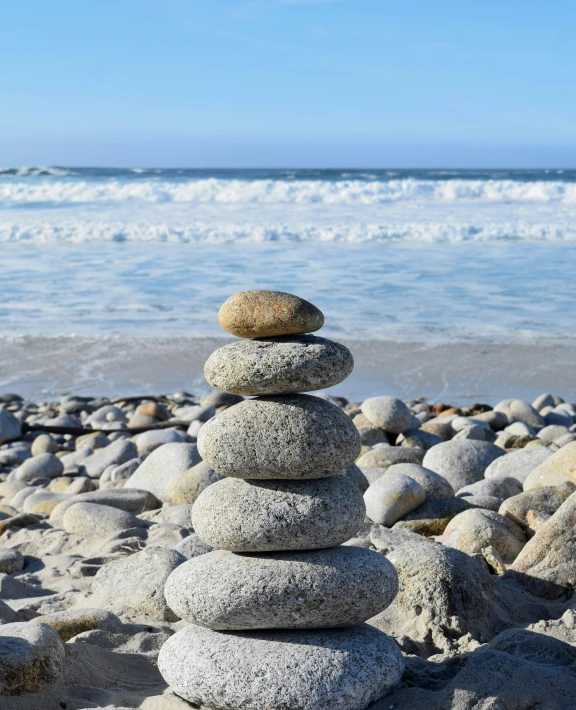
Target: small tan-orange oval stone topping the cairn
[{"x": 265, "y": 314}]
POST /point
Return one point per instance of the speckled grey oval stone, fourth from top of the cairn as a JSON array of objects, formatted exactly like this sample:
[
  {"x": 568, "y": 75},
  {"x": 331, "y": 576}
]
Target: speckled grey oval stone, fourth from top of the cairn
[{"x": 264, "y": 516}]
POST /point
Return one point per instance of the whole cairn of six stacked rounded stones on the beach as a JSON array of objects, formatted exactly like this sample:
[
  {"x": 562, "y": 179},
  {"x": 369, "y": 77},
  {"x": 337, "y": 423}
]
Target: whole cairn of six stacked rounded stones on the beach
[{"x": 277, "y": 610}]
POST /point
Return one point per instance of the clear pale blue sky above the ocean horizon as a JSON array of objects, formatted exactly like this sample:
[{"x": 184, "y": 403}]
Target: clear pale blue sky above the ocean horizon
[{"x": 288, "y": 83}]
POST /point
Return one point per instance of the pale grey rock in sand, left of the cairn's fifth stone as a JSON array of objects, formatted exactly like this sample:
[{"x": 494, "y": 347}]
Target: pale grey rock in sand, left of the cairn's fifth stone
[{"x": 134, "y": 585}]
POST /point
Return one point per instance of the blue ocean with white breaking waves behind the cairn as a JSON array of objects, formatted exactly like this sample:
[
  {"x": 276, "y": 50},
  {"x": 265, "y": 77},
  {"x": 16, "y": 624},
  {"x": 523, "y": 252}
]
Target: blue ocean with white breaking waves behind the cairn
[{"x": 113, "y": 256}]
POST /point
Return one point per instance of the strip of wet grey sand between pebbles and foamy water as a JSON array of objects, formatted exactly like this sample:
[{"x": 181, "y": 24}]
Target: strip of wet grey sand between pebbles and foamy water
[{"x": 461, "y": 372}]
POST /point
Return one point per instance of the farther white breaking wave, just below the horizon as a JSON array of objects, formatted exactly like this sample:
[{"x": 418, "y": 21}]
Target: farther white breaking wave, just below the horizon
[{"x": 224, "y": 191}]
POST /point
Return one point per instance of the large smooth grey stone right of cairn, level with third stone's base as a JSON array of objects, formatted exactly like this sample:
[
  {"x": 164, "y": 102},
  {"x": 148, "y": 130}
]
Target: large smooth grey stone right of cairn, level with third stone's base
[{"x": 461, "y": 462}]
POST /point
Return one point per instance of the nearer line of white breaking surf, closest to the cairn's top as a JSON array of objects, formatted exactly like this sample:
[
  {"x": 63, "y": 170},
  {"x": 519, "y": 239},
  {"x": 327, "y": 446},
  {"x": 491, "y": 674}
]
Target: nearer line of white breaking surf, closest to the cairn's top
[{"x": 209, "y": 233}]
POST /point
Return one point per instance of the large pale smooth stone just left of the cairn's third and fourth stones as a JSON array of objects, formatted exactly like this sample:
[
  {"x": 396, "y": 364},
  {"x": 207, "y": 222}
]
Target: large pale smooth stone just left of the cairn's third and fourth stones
[{"x": 166, "y": 463}]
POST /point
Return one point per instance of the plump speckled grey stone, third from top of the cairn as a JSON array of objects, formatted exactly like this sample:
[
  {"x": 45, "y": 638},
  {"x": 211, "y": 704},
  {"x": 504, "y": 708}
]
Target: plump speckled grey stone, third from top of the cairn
[{"x": 292, "y": 436}]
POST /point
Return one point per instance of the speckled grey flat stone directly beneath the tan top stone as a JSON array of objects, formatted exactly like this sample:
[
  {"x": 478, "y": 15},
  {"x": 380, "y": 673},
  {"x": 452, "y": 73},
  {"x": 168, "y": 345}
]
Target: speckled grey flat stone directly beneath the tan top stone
[{"x": 283, "y": 365}]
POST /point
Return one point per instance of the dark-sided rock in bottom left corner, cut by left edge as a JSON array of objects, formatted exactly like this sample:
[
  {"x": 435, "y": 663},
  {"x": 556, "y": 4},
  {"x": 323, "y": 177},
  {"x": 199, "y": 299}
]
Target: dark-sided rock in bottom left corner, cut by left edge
[{"x": 31, "y": 656}]
